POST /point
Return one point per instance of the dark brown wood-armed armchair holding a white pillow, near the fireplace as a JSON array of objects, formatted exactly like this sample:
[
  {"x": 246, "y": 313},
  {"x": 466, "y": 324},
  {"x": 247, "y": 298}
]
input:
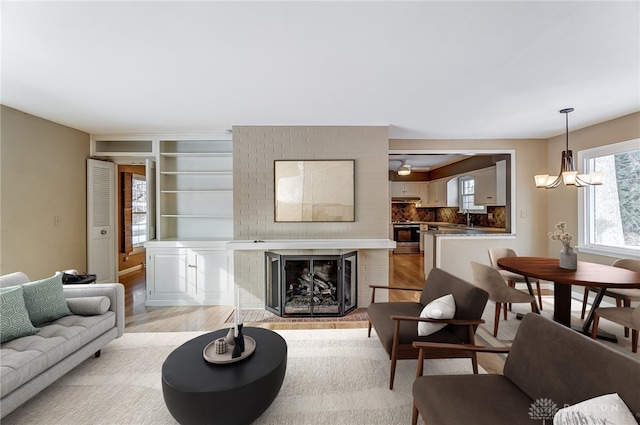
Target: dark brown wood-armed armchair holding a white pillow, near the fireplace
[{"x": 396, "y": 323}]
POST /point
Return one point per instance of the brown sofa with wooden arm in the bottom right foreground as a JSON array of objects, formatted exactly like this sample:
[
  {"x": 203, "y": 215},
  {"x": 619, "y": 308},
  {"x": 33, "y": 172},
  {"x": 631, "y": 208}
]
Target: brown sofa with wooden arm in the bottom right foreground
[{"x": 546, "y": 362}]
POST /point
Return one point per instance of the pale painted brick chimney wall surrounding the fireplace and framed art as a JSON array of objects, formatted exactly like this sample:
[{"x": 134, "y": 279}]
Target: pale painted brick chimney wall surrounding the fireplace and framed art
[{"x": 255, "y": 148}]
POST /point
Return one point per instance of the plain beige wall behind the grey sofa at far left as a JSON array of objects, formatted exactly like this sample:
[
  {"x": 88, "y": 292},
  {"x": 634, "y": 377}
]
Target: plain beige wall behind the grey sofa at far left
[{"x": 42, "y": 175}]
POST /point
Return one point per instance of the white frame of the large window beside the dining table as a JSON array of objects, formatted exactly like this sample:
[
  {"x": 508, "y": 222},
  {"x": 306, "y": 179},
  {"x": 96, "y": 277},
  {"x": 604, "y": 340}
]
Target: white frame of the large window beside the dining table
[{"x": 585, "y": 195}]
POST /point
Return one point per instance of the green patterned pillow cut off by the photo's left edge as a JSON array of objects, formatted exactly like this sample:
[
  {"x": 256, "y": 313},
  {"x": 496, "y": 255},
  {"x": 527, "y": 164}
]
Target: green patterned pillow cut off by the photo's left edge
[{"x": 14, "y": 320}]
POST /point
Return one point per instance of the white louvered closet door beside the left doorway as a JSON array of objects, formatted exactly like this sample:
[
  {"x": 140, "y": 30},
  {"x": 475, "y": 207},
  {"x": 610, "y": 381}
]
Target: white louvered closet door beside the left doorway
[{"x": 101, "y": 242}]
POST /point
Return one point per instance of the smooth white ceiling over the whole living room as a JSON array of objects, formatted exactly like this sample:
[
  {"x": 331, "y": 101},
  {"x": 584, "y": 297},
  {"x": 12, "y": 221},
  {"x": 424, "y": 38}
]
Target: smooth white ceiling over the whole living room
[{"x": 428, "y": 69}]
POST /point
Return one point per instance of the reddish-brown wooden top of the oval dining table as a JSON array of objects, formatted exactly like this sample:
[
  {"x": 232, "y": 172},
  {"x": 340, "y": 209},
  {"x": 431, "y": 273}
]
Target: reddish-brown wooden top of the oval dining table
[{"x": 587, "y": 274}]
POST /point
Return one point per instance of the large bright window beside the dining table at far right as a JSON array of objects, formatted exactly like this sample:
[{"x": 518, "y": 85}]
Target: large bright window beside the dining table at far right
[{"x": 610, "y": 213}]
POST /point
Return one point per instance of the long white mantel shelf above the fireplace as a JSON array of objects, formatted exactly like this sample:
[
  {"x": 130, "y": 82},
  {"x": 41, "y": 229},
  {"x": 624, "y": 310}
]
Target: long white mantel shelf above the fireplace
[{"x": 261, "y": 245}]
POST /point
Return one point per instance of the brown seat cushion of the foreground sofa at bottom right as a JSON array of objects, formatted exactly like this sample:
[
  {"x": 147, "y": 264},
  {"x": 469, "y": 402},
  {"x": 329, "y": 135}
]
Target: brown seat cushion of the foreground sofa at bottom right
[{"x": 463, "y": 399}]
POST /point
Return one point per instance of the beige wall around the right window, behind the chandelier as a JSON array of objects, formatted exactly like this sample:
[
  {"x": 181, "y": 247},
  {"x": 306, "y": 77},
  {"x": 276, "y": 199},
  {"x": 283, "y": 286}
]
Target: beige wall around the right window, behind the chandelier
[{"x": 562, "y": 202}]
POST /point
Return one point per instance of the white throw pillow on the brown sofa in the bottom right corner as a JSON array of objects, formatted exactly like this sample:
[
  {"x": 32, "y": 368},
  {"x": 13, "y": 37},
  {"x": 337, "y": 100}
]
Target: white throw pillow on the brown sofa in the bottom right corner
[{"x": 603, "y": 410}]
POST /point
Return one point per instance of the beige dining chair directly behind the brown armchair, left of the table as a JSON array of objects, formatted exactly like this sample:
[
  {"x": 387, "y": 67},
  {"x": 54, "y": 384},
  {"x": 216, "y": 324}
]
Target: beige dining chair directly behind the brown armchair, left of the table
[{"x": 491, "y": 280}]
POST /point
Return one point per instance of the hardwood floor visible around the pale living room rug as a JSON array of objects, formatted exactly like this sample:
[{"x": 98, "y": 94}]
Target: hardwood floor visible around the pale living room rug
[{"x": 404, "y": 269}]
